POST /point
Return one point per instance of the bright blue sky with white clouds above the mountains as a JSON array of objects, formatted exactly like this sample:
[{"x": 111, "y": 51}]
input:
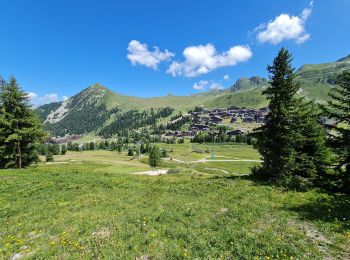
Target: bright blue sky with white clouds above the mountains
[{"x": 57, "y": 48}]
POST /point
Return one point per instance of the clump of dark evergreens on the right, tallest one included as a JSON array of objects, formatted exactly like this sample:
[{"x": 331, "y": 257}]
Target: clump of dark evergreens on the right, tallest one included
[{"x": 296, "y": 148}]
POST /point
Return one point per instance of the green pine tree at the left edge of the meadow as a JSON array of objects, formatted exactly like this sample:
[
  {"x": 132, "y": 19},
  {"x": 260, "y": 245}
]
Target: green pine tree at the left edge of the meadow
[{"x": 20, "y": 129}]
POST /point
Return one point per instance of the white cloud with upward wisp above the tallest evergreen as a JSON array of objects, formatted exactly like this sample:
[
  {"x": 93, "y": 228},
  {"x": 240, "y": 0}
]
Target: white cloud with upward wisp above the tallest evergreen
[{"x": 285, "y": 27}]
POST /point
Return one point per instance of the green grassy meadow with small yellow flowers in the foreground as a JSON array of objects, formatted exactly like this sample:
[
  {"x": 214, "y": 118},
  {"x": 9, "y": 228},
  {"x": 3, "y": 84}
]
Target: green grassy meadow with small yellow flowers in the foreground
[{"x": 90, "y": 205}]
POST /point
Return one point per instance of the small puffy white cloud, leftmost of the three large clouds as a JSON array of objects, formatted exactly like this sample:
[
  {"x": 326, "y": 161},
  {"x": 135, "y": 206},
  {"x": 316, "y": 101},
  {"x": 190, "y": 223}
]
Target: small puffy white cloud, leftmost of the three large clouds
[{"x": 139, "y": 54}]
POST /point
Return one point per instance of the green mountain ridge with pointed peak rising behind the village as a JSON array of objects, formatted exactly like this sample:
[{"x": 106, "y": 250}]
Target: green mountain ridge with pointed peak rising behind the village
[{"x": 97, "y": 107}]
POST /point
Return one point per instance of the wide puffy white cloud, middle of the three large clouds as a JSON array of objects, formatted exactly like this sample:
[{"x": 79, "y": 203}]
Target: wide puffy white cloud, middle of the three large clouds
[{"x": 202, "y": 59}]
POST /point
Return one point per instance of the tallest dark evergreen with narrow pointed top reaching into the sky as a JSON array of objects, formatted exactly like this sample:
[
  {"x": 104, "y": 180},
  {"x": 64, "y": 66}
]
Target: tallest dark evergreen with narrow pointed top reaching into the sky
[{"x": 274, "y": 138}]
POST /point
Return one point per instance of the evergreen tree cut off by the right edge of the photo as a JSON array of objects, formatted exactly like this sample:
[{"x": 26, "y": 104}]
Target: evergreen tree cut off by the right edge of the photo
[{"x": 339, "y": 110}]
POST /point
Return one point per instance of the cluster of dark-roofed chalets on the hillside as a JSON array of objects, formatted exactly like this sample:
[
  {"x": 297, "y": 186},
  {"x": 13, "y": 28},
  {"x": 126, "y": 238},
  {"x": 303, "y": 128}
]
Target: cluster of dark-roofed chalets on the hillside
[{"x": 202, "y": 120}]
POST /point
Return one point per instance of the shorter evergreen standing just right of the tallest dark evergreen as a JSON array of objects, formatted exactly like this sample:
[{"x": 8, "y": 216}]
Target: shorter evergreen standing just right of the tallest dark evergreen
[{"x": 310, "y": 156}]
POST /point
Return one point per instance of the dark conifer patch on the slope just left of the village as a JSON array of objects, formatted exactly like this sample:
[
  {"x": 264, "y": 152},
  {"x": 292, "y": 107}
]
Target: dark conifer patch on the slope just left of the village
[{"x": 133, "y": 120}]
